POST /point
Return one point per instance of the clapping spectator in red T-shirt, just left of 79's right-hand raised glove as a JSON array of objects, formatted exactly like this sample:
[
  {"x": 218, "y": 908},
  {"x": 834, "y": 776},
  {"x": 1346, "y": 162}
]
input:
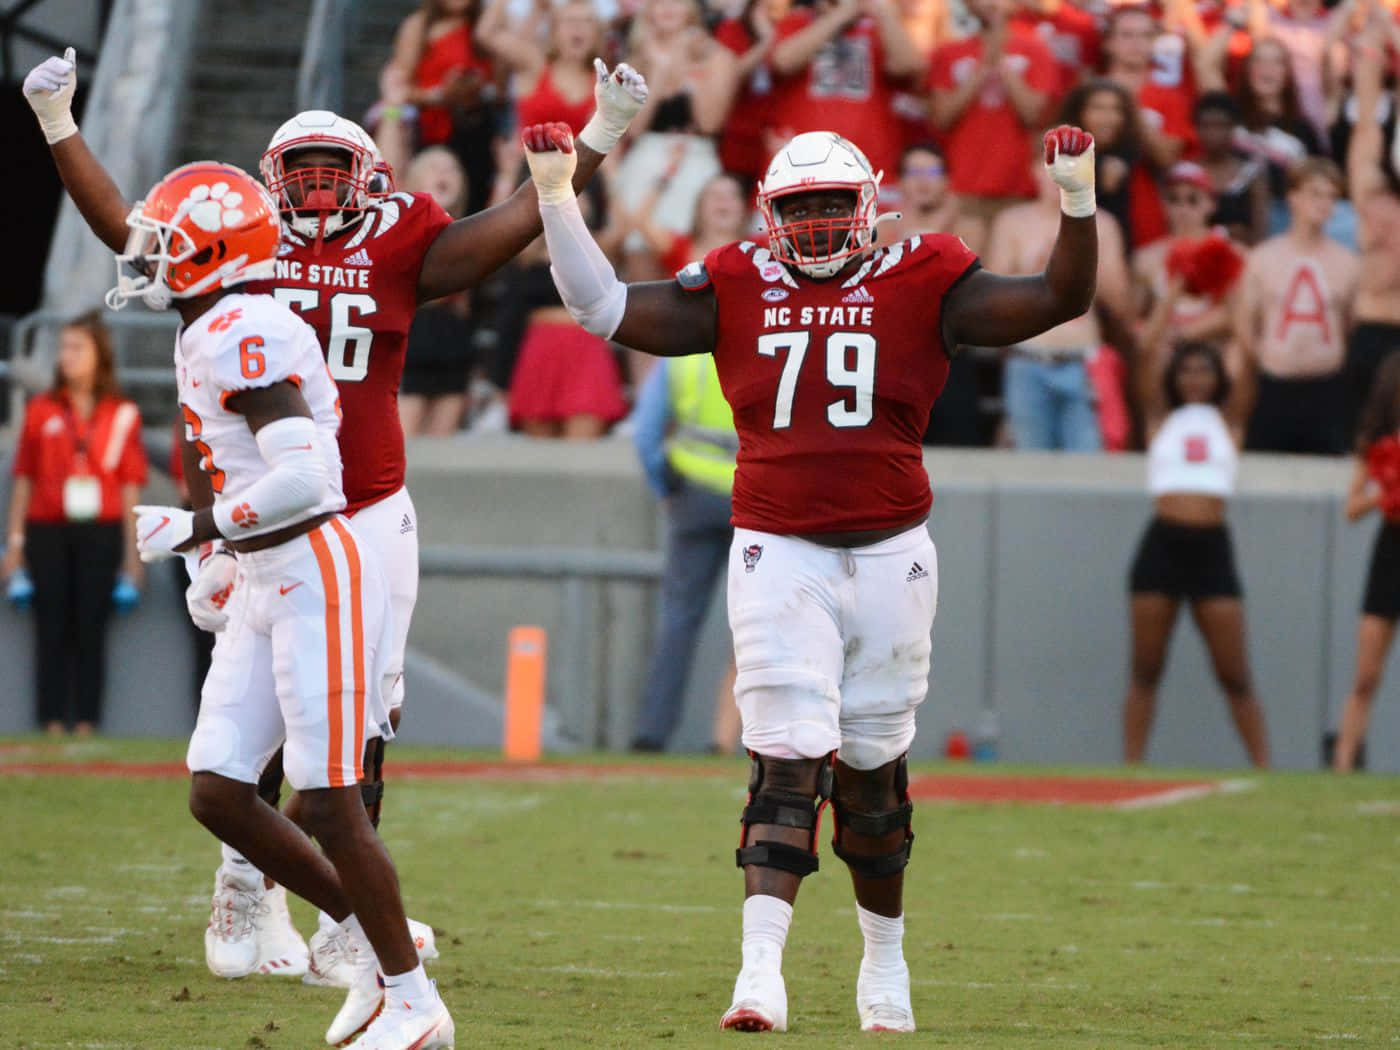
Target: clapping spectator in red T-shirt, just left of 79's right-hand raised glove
[{"x": 989, "y": 96}]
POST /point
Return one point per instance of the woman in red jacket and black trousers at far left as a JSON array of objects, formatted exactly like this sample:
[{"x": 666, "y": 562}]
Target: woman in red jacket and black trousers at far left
[{"x": 78, "y": 474}]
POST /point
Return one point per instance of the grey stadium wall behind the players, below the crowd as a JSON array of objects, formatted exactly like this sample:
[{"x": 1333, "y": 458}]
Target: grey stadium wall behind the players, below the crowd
[{"x": 1034, "y": 555}]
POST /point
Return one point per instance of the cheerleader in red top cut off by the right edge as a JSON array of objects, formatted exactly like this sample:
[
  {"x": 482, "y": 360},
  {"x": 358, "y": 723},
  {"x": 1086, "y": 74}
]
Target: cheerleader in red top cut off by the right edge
[{"x": 1375, "y": 485}]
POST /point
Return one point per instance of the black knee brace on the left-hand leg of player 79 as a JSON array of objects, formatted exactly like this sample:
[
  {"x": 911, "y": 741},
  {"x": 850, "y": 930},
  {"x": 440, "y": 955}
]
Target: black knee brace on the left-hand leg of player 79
[{"x": 779, "y": 797}]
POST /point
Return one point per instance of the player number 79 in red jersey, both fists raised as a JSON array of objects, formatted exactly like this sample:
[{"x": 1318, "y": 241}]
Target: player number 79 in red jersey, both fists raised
[{"x": 831, "y": 352}]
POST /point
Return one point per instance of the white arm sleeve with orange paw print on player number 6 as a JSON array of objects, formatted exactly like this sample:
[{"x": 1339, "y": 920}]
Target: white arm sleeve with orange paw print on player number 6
[{"x": 295, "y": 485}]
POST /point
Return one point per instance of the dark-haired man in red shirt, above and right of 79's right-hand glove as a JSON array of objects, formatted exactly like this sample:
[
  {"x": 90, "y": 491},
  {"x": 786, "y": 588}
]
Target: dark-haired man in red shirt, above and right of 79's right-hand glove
[{"x": 1167, "y": 115}]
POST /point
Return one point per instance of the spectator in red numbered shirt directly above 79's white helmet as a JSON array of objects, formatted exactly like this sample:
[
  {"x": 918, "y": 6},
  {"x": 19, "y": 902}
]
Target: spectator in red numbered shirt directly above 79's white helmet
[{"x": 838, "y": 68}]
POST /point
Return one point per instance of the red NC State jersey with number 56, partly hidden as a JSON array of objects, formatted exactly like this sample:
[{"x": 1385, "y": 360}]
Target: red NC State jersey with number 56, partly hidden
[{"x": 360, "y": 292}]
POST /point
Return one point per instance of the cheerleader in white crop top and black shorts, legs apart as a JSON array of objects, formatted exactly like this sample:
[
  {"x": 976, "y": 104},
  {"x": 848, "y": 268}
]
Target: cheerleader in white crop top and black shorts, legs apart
[{"x": 1186, "y": 552}]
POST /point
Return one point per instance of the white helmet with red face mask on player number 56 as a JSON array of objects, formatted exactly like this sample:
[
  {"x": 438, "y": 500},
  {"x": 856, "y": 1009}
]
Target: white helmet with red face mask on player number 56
[{"x": 320, "y": 201}]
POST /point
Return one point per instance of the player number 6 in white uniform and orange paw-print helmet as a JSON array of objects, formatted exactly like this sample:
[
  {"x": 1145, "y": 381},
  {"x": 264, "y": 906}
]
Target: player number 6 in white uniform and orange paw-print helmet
[{"x": 303, "y": 614}]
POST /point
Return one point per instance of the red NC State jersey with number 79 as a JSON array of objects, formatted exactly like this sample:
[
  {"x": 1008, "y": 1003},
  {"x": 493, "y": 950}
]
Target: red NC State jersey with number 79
[{"x": 831, "y": 381}]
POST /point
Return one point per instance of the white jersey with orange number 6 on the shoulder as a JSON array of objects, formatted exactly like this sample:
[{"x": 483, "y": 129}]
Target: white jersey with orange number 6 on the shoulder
[{"x": 240, "y": 344}]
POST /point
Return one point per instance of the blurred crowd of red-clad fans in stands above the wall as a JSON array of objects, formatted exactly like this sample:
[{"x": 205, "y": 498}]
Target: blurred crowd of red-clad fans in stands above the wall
[{"x": 1245, "y": 181}]
